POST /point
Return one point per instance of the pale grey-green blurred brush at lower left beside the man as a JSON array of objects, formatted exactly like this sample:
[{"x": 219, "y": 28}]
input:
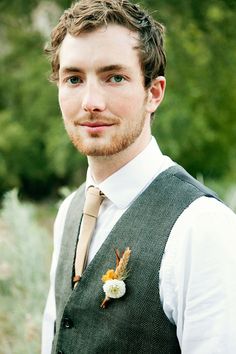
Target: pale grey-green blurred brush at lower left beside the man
[{"x": 24, "y": 262}]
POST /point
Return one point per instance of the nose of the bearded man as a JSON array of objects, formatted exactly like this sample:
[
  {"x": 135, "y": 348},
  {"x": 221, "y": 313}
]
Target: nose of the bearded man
[{"x": 93, "y": 99}]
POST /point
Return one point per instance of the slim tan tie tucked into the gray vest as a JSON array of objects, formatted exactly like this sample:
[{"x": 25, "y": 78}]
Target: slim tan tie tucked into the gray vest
[{"x": 94, "y": 198}]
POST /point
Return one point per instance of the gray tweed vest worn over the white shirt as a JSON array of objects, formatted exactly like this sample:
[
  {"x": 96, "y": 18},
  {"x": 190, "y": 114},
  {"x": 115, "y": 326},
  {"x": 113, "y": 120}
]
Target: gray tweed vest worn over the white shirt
[{"x": 136, "y": 322}]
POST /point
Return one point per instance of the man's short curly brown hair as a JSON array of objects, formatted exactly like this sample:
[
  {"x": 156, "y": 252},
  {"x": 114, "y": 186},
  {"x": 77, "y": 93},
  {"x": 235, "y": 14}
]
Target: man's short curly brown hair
[{"x": 89, "y": 15}]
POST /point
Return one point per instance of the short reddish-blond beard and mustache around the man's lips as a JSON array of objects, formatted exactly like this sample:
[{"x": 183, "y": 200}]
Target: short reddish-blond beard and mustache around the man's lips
[{"x": 95, "y": 144}]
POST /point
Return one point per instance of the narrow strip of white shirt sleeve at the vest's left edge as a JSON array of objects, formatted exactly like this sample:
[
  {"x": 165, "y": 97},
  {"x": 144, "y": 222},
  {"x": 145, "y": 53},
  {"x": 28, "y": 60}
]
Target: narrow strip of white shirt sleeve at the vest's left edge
[{"x": 49, "y": 316}]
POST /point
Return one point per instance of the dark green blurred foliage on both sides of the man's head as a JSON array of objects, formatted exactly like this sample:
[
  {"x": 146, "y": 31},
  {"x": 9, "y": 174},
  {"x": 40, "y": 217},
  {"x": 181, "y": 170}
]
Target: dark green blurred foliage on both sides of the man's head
[{"x": 195, "y": 125}]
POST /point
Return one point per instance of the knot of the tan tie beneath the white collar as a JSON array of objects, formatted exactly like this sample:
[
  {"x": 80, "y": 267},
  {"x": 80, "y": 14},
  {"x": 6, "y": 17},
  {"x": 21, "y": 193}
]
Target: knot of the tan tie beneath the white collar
[{"x": 93, "y": 200}]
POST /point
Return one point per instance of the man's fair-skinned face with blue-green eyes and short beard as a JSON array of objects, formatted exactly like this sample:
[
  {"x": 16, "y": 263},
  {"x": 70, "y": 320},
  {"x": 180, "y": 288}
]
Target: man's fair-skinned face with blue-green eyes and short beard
[{"x": 101, "y": 92}]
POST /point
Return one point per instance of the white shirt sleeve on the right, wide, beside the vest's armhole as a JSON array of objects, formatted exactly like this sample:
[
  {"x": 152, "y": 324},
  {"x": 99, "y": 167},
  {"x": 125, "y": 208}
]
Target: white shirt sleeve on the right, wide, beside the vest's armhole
[{"x": 197, "y": 278}]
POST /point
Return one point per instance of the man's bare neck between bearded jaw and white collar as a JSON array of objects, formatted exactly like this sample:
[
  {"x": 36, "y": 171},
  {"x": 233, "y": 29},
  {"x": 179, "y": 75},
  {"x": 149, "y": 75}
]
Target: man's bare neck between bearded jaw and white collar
[{"x": 104, "y": 166}]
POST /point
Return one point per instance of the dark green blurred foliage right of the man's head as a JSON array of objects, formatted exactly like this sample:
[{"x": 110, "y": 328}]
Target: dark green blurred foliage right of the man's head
[{"x": 197, "y": 125}]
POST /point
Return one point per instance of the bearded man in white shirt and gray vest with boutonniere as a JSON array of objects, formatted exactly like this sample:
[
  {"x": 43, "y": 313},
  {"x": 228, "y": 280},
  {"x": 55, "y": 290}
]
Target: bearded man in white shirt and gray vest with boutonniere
[{"x": 179, "y": 296}]
